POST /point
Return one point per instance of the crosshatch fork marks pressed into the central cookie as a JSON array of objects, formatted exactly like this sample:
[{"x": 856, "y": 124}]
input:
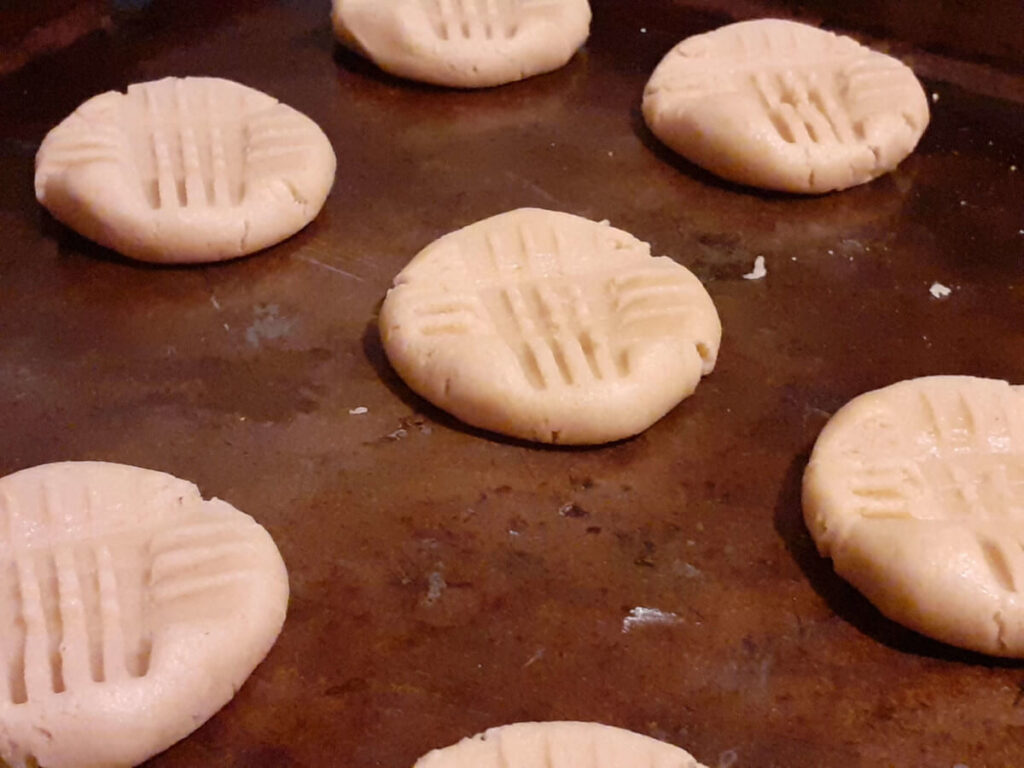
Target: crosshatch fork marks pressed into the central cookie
[{"x": 564, "y": 330}]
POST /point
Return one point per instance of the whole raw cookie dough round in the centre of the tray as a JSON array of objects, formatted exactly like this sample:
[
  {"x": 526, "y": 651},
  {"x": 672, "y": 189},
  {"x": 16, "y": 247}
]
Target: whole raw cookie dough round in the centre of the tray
[{"x": 549, "y": 327}]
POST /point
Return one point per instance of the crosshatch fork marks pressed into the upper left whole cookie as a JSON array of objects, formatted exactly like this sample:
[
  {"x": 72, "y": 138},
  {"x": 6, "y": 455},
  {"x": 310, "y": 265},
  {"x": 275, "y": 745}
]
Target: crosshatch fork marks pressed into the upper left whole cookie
[{"x": 189, "y": 144}]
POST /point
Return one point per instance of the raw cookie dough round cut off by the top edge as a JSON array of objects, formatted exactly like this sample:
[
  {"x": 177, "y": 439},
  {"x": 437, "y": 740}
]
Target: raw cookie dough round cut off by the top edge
[{"x": 463, "y": 44}]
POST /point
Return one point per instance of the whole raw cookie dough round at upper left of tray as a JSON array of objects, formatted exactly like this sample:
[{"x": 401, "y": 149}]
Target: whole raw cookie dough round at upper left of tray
[{"x": 185, "y": 170}]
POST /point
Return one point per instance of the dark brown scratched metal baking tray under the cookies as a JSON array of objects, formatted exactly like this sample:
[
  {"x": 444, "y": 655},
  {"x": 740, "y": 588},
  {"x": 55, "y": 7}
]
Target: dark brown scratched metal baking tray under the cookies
[{"x": 445, "y": 580}]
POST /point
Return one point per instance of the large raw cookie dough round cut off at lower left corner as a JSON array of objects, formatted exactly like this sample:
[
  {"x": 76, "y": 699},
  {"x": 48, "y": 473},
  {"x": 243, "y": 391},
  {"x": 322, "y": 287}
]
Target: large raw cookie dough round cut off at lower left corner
[{"x": 132, "y": 611}]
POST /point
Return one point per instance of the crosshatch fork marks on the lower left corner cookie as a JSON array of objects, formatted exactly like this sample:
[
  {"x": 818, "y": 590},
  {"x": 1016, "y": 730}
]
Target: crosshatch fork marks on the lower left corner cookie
[{"x": 81, "y": 611}]
